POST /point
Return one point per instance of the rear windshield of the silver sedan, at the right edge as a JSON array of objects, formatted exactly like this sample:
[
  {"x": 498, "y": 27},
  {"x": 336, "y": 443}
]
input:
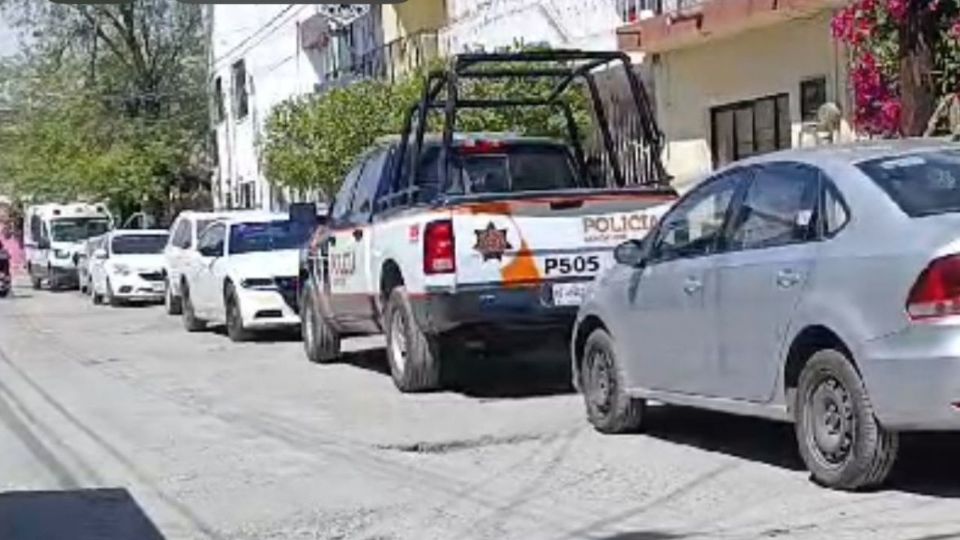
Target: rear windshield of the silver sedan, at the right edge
[{"x": 921, "y": 183}]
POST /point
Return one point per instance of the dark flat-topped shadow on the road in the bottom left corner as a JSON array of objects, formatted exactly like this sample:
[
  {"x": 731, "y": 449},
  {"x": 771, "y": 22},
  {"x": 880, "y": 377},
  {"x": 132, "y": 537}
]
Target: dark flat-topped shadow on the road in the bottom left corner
[{"x": 82, "y": 514}]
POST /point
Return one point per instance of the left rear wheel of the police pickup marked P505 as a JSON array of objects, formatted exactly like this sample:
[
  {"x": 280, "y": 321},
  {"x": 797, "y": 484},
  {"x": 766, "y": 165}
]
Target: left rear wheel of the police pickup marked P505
[{"x": 414, "y": 356}]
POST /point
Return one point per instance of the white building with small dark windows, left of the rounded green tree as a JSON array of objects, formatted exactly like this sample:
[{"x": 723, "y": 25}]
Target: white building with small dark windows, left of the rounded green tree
[{"x": 261, "y": 55}]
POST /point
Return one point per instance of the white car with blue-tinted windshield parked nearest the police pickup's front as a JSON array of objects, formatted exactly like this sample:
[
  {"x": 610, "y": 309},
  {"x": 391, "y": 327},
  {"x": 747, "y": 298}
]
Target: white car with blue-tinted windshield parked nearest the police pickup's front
[{"x": 244, "y": 274}]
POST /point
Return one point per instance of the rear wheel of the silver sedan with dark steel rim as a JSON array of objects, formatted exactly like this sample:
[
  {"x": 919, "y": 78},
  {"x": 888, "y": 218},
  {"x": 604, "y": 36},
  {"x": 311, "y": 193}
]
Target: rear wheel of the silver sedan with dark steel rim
[{"x": 841, "y": 441}]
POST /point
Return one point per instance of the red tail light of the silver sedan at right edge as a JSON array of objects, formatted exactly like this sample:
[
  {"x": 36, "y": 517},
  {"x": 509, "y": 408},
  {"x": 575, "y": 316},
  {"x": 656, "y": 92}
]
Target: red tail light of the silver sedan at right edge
[{"x": 937, "y": 291}]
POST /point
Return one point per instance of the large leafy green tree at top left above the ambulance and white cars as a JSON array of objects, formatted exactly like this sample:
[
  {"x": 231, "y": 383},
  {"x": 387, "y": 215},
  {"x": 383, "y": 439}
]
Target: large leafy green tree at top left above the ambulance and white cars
[{"x": 108, "y": 102}]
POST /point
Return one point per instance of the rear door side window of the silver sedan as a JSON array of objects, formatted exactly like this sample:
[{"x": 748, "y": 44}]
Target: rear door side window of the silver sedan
[{"x": 777, "y": 209}]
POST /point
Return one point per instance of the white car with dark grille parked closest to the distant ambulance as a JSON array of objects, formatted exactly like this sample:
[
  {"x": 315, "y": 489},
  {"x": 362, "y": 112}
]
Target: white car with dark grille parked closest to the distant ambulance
[{"x": 128, "y": 267}]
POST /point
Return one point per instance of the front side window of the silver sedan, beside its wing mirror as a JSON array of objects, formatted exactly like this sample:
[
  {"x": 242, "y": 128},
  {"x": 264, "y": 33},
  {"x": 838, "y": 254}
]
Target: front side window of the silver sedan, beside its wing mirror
[{"x": 694, "y": 225}]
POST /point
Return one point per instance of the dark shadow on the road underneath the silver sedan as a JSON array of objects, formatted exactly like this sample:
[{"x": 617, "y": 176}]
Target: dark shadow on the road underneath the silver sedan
[{"x": 926, "y": 465}]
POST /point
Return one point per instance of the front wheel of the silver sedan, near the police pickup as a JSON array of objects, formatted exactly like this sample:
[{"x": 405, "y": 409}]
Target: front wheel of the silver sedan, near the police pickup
[{"x": 609, "y": 408}]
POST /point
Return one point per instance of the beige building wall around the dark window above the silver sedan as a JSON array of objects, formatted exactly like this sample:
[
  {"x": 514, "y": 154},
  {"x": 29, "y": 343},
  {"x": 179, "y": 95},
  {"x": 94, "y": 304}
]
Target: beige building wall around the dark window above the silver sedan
[{"x": 748, "y": 65}]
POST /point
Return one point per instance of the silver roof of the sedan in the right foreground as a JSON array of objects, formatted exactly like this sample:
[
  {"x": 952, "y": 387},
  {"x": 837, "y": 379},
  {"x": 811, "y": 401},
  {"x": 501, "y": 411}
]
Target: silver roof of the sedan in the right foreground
[{"x": 856, "y": 152}]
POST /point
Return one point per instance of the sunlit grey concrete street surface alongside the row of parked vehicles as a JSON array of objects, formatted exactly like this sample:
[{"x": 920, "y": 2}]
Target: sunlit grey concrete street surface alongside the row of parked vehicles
[{"x": 191, "y": 436}]
